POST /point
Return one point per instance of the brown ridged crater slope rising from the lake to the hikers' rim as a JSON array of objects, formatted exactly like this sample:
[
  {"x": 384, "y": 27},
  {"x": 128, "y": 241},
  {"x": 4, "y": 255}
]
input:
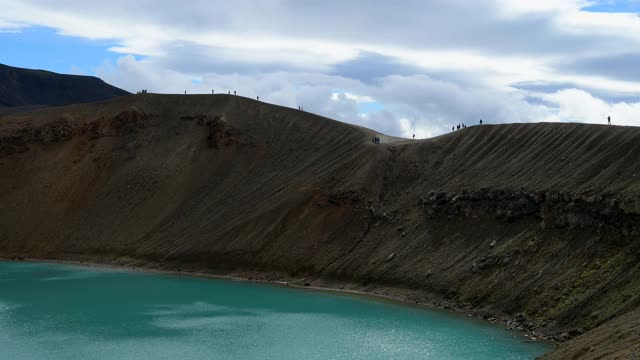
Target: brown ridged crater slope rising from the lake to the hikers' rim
[{"x": 536, "y": 223}]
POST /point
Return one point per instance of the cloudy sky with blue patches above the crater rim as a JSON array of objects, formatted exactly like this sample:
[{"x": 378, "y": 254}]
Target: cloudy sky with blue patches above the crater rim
[{"x": 400, "y": 67}]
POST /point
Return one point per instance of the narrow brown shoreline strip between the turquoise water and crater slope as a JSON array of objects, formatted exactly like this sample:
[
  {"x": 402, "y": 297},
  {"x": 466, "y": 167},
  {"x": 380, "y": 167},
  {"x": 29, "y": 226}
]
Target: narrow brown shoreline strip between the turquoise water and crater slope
[{"x": 397, "y": 296}]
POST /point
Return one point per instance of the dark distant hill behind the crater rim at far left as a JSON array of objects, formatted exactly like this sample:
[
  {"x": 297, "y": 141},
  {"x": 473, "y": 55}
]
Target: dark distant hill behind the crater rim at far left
[{"x": 28, "y": 89}]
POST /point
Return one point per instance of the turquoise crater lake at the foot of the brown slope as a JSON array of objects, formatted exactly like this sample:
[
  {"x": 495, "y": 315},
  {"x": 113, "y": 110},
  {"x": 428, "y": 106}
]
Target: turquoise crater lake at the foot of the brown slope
[{"x": 51, "y": 311}]
